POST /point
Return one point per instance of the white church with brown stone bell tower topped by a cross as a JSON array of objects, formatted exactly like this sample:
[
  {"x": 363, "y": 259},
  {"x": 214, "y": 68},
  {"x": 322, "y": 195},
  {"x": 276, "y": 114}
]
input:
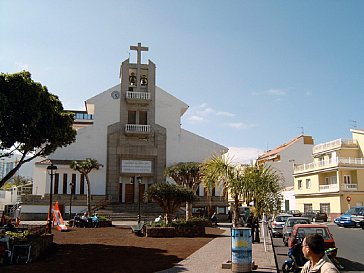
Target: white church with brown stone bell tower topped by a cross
[{"x": 134, "y": 130}]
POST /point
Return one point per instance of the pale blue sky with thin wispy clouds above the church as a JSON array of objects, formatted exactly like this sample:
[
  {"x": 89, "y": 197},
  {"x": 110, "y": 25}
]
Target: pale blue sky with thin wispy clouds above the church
[{"x": 254, "y": 73}]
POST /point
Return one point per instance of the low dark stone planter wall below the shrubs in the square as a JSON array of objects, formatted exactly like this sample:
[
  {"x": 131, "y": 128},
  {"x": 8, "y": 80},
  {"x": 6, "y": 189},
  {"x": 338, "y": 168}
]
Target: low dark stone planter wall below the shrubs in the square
[{"x": 163, "y": 232}]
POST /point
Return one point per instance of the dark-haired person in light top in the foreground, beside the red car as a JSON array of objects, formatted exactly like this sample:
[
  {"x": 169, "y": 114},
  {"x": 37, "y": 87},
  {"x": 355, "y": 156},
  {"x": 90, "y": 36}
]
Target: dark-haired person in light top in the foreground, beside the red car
[{"x": 313, "y": 248}]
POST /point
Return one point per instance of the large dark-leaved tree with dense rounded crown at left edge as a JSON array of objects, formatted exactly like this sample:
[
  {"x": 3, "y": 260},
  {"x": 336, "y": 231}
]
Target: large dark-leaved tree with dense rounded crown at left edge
[{"x": 32, "y": 120}]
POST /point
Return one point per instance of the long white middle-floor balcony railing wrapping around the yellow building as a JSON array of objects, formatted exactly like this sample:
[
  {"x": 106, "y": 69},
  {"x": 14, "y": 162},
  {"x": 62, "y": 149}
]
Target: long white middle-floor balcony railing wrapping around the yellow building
[{"x": 334, "y": 162}]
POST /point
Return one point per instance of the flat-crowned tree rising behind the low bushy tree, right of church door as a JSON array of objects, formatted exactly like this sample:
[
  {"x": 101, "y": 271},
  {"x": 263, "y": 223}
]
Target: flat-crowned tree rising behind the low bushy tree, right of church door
[{"x": 186, "y": 174}]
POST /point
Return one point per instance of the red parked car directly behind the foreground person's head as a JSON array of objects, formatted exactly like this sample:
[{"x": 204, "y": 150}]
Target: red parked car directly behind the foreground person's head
[{"x": 299, "y": 232}]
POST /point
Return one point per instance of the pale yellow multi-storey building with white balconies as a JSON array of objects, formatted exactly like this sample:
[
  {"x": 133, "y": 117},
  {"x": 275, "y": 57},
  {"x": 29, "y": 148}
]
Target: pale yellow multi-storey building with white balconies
[{"x": 335, "y": 175}]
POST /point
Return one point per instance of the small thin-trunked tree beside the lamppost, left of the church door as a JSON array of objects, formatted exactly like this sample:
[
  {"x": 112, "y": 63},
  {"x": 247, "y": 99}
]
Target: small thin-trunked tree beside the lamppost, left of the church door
[{"x": 85, "y": 167}]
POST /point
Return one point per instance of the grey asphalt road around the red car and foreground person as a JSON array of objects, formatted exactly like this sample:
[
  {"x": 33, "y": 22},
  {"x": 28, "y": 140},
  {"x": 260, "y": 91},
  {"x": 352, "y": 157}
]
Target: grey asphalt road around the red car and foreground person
[{"x": 350, "y": 244}]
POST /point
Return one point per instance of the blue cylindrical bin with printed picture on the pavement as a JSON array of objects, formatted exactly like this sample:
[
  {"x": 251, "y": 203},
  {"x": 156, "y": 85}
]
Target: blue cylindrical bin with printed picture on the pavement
[{"x": 241, "y": 250}]
